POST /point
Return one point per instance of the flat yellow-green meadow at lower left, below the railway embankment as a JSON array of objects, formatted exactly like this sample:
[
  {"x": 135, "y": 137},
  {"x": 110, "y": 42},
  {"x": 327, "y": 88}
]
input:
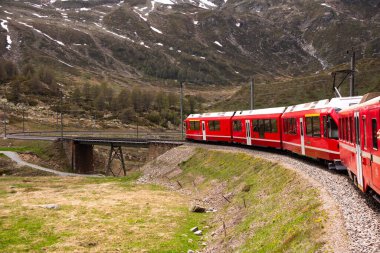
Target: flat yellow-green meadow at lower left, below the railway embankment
[{"x": 97, "y": 215}]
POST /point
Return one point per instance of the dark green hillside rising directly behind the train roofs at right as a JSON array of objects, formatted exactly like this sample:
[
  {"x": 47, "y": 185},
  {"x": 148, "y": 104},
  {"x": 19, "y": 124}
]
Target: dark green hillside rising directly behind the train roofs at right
[{"x": 285, "y": 92}]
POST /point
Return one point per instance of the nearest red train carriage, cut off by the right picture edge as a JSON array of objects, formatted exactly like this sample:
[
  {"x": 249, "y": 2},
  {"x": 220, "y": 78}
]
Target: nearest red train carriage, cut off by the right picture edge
[{"x": 359, "y": 144}]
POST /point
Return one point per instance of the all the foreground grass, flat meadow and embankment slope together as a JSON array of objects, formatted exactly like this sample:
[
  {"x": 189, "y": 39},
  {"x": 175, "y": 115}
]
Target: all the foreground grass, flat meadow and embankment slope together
[{"x": 282, "y": 212}]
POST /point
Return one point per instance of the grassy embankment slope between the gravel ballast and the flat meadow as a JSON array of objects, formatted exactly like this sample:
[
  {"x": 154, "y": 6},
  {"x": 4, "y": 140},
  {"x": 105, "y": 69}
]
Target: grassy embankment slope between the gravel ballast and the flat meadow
[{"x": 282, "y": 214}]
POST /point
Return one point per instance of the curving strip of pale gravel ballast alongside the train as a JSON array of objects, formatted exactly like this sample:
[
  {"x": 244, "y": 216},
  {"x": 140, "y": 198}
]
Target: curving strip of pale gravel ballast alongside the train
[{"x": 361, "y": 214}]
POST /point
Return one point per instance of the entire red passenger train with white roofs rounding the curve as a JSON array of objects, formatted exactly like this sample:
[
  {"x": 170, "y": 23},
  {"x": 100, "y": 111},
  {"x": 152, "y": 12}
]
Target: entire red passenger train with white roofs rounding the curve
[{"x": 340, "y": 131}]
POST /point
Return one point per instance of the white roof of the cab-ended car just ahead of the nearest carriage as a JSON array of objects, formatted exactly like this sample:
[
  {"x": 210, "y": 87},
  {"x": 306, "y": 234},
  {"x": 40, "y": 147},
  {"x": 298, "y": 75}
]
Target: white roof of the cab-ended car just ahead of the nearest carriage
[{"x": 337, "y": 103}]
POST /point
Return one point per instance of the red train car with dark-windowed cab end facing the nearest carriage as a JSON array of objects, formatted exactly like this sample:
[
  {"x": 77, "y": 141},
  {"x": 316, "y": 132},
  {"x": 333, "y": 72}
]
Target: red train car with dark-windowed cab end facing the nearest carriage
[{"x": 311, "y": 129}]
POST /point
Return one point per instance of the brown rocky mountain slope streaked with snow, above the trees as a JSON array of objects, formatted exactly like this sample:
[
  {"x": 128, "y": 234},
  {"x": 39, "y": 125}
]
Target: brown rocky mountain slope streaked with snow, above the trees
[{"x": 198, "y": 41}]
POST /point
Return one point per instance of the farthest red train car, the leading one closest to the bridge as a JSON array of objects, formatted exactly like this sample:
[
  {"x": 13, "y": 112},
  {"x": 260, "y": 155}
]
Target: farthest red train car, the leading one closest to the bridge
[{"x": 209, "y": 126}]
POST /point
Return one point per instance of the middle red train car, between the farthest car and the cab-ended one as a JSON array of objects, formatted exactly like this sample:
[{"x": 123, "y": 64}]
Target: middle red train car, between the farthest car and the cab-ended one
[{"x": 258, "y": 127}]
